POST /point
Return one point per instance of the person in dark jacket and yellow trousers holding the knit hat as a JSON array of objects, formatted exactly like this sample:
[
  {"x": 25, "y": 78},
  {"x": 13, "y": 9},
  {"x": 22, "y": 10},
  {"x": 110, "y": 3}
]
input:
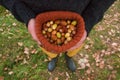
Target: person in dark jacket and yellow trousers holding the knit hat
[{"x": 25, "y": 11}]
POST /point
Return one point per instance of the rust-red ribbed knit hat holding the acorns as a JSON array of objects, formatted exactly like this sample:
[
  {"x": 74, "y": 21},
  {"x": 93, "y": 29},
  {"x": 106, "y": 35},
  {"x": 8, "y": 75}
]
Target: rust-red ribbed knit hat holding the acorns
[{"x": 54, "y": 15}]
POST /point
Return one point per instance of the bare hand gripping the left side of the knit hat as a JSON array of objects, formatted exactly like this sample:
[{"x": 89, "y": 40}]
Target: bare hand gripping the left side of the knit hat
[{"x": 31, "y": 29}]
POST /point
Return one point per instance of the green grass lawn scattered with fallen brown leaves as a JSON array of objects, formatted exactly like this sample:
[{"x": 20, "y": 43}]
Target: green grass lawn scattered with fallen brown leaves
[{"x": 22, "y": 59}]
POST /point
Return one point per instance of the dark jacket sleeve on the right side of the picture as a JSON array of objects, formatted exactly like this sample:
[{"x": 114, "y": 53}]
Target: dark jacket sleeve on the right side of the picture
[{"x": 94, "y": 12}]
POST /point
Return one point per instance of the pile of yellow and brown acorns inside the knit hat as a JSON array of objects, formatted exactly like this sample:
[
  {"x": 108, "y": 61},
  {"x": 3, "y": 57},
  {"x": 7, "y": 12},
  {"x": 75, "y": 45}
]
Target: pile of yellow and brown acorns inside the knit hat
[{"x": 59, "y": 32}]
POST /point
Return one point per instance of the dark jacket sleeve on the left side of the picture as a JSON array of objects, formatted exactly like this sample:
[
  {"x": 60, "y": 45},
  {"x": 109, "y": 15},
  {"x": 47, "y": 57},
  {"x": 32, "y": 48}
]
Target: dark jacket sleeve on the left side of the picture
[{"x": 20, "y": 11}]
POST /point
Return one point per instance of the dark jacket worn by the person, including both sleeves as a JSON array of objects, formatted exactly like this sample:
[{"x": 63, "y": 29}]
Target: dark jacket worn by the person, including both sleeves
[{"x": 91, "y": 10}]
